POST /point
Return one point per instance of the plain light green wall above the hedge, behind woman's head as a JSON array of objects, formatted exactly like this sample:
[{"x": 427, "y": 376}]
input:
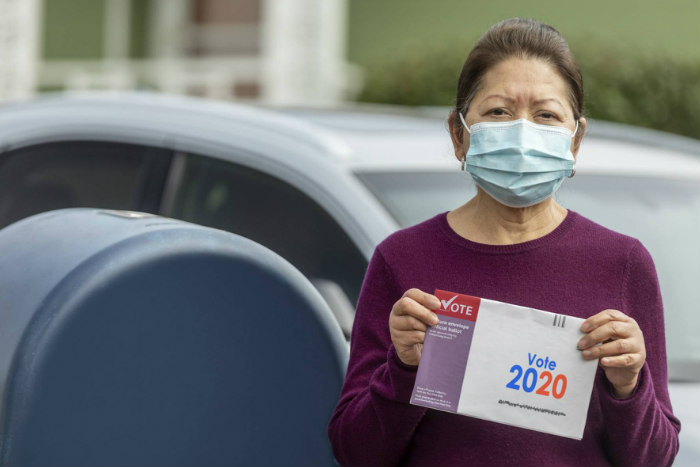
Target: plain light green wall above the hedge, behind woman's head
[{"x": 382, "y": 28}]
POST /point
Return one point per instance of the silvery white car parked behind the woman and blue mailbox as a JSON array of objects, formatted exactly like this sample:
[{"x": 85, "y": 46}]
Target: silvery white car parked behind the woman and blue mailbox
[{"x": 324, "y": 187}]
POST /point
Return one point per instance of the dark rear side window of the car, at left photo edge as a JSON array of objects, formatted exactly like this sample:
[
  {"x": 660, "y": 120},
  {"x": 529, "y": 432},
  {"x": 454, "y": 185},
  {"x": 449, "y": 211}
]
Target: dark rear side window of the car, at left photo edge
[{"x": 69, "y": 174}]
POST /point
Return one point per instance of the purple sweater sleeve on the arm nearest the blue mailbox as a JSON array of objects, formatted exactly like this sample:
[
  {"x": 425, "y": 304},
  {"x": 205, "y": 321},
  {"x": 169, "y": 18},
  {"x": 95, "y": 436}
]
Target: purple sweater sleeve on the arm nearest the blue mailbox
[{"x": 373, "y": 422}]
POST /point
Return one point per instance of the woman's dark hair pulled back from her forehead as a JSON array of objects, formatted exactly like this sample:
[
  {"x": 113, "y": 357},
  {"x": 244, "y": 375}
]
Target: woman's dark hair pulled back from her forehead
[{"x": 521, "y": 38}]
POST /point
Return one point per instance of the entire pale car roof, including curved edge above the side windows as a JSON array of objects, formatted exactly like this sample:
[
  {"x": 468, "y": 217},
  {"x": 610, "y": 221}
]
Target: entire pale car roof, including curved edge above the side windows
[{"x": 356, "y": 136}]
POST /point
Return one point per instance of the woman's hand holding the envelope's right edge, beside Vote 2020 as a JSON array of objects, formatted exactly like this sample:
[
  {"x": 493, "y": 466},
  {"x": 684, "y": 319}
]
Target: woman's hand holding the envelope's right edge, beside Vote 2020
[{"x": 622, "y": 351}]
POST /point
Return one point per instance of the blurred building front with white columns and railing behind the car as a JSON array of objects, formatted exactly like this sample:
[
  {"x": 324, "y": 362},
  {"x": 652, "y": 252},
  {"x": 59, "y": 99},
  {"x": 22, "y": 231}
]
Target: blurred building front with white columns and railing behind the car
[{"x": 282, "y": 52}]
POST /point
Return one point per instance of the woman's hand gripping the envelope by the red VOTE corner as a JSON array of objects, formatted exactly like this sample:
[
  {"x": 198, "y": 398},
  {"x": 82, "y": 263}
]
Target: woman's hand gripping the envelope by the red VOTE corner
[{"x": 410, "y": 317}]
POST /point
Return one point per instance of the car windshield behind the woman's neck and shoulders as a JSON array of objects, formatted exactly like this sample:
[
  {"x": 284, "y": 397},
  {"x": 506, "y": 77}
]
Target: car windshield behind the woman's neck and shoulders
[{"x": 663, "y": 214}]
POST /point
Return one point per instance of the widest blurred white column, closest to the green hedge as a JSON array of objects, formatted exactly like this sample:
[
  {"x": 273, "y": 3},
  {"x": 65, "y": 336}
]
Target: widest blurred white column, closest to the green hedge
[{"x": 303, "y": 51}]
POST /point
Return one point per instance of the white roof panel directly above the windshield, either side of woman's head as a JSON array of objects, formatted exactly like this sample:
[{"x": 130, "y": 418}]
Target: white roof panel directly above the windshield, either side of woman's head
[{"x": 380, "y": 137}]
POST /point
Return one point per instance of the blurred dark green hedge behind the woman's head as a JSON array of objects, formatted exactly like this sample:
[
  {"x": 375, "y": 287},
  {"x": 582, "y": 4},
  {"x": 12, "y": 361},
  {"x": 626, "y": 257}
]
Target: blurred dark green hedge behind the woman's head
[{"x": 652, "y": 92}]
